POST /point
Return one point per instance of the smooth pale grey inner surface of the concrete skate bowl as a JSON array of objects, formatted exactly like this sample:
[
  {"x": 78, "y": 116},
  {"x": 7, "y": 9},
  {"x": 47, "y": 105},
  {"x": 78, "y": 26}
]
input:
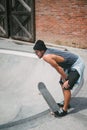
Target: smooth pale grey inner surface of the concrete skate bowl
[{"x": 20, "y": 100}]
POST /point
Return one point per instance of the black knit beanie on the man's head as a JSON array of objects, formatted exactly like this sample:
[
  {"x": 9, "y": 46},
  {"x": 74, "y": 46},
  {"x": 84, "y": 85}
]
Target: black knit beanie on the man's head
[{"x": 39, "y": 45}]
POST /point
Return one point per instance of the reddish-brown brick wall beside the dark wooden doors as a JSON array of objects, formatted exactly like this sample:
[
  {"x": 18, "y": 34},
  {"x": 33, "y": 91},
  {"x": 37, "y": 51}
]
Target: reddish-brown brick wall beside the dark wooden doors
[{"x": 62, "y": 22}]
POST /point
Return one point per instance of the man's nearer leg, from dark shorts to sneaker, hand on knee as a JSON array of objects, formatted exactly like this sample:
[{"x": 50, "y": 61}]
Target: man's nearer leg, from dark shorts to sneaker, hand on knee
[{"x": 66, "y": 88}]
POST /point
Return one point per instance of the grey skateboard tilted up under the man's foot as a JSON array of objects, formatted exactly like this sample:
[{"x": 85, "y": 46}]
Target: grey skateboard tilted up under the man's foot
[{"x": 49, "y": 99}]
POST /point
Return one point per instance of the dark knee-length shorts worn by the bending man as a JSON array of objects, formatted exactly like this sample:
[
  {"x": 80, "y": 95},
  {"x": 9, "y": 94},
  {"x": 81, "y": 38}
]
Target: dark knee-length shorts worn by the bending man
[{"x": 73, "y": 76}]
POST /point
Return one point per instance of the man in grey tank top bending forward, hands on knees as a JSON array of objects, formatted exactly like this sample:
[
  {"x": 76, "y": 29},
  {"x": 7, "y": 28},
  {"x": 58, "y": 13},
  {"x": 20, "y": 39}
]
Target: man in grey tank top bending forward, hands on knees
[{"x": 70, "y": 67}]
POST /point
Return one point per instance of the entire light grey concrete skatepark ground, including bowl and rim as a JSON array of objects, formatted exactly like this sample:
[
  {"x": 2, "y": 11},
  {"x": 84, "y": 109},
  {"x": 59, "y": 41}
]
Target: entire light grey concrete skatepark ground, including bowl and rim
[{"x": 21, "y": 105}]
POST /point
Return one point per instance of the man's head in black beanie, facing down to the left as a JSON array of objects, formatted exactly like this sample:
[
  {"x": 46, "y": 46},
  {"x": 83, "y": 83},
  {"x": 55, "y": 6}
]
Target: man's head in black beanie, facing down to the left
[{"x": 40, "y": 48}]
